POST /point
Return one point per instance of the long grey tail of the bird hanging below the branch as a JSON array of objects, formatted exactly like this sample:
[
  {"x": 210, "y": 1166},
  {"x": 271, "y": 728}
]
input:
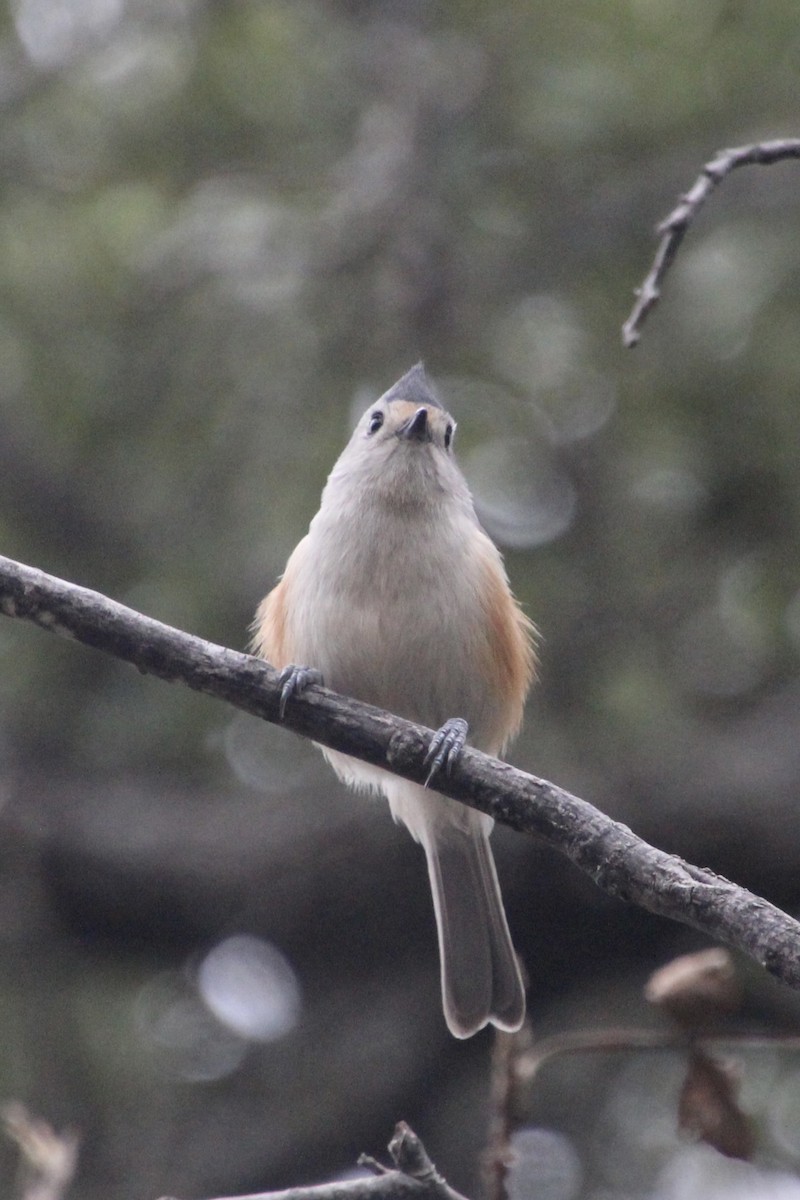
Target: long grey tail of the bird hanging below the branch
[{"x": 480, "y": 975}]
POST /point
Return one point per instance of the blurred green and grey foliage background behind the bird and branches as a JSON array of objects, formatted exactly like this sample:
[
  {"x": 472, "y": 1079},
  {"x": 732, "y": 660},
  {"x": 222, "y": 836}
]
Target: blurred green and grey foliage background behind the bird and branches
[{"x": 226, "y": 226}]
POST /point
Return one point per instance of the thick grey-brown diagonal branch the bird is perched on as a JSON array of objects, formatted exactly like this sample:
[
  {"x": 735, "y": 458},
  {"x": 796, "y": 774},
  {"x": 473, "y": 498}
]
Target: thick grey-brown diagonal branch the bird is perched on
[{"x": 609, "y": 853}]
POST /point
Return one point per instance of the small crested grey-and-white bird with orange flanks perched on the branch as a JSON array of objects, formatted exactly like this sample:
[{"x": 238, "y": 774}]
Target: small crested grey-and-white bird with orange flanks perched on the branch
[{"x": 399, "y": 598}]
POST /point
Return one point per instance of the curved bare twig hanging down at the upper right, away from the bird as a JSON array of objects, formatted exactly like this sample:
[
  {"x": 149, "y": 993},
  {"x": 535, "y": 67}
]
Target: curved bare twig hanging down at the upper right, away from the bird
[{"x": 673, "y": 229}]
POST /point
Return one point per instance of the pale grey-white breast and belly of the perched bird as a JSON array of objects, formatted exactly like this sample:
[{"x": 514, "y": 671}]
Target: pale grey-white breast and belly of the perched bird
[{"x": 390, "y": 609}]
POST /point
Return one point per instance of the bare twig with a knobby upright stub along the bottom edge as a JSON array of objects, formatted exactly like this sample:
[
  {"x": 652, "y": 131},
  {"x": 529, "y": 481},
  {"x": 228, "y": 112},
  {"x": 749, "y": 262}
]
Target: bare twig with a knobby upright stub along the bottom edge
[{"x": 414, "y": 1178}]
